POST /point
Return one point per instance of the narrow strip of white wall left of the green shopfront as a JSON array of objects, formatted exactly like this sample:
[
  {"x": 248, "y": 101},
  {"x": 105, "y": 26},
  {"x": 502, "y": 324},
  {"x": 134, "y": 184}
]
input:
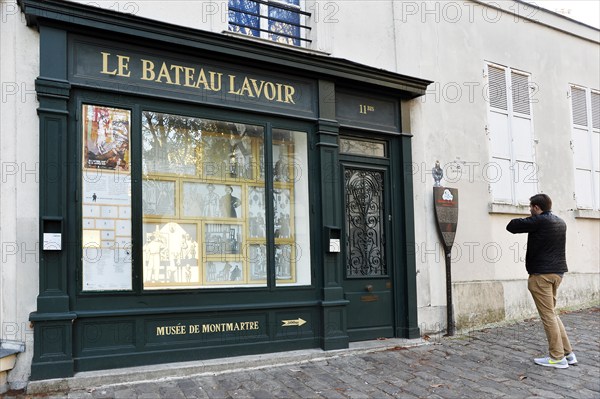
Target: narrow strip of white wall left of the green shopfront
[{"x": 19, "y": 144}]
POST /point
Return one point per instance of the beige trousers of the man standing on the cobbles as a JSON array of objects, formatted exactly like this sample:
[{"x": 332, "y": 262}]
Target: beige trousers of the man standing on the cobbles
[{"x": 543, "y": 289}]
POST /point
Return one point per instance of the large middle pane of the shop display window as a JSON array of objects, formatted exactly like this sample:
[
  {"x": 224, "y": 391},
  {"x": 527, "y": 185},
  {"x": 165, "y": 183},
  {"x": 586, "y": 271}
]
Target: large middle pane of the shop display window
[{"x": 203, "y": 203}]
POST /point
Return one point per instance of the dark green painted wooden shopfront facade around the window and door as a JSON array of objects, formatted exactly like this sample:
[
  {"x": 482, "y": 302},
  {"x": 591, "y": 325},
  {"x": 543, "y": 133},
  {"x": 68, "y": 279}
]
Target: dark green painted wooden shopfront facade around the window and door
[{"x": 76, "y": 330}]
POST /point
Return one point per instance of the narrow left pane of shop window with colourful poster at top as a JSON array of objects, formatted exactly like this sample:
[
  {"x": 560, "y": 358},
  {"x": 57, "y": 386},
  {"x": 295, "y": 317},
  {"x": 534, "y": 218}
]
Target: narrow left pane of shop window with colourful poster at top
[{"x": 106, "y": 199}]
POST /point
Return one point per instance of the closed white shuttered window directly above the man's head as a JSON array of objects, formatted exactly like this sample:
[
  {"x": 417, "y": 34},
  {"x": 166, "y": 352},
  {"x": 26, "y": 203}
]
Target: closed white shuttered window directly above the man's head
[{"x": 512, "y": 171}]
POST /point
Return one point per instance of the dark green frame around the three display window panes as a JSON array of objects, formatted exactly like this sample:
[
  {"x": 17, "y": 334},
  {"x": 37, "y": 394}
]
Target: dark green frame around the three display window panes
[{"x": 136, "y": 106}]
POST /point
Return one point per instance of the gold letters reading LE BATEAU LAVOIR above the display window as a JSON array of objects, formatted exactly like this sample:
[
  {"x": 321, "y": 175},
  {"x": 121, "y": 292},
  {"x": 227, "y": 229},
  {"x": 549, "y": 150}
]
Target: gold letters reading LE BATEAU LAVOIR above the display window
[{"x": 197, "y": 78}]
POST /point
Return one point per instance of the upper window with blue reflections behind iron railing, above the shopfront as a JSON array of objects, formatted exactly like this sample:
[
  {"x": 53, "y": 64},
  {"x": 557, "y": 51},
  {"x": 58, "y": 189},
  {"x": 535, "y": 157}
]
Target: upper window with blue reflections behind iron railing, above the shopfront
[{"x": 282, "y": 21}]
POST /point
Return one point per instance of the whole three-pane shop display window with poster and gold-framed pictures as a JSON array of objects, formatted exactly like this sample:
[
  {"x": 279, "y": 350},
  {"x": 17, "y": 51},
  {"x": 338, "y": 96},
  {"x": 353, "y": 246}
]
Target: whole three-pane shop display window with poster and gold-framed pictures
[{"x": 212, "y": 214}]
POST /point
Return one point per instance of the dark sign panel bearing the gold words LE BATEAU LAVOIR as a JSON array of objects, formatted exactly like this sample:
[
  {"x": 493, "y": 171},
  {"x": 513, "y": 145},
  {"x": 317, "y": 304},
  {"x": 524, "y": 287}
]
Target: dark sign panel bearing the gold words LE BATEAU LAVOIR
[{"x": 139, "y": 72}]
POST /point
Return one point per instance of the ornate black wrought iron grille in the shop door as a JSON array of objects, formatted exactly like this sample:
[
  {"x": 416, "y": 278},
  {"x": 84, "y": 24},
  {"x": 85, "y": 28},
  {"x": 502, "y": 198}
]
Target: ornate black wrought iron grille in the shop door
[{"x": 365, "y": 226}]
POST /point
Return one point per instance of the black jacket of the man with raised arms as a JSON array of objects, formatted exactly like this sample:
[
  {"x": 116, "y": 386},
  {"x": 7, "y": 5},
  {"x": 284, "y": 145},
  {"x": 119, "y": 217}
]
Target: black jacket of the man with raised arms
[{"x": 545, "y": 242}]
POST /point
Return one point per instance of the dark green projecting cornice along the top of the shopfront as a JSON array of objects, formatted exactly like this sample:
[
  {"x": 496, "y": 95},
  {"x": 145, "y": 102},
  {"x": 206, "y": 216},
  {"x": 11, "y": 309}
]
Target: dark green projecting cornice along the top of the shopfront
[{"x": 84, "y": 18}]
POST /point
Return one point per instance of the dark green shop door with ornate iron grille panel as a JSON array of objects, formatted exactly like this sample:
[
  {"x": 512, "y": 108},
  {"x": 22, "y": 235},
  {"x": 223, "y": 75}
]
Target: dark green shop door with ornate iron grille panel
[{"x": 367, "y": 253}]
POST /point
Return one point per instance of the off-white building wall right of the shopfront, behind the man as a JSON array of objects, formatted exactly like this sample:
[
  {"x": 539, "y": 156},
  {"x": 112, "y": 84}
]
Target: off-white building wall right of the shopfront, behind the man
[{"x": 450, "y": 43}]
